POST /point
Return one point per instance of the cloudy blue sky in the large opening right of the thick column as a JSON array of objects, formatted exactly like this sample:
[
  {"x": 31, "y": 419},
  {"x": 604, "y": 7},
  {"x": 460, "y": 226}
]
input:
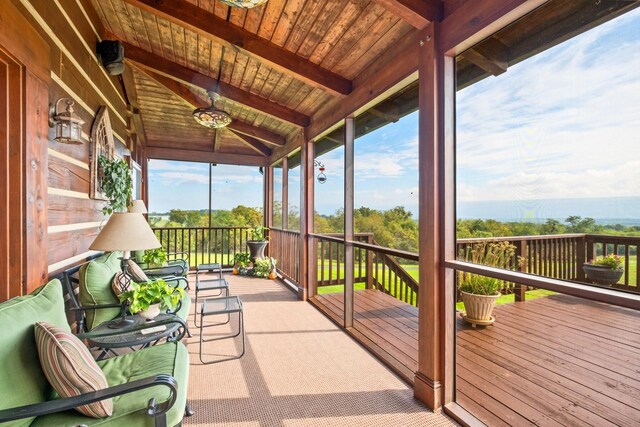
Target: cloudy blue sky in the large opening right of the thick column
[{"x": 565, "y": 123}]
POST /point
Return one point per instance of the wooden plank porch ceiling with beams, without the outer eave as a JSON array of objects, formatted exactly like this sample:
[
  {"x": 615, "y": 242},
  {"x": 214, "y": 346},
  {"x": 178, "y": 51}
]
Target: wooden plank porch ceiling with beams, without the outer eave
[{"x": 278, "y": 63}]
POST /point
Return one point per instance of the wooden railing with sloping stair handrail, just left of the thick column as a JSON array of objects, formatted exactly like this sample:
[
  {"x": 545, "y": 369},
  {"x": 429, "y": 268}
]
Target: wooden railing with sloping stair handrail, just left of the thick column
[{"x": 375, "y": 266}]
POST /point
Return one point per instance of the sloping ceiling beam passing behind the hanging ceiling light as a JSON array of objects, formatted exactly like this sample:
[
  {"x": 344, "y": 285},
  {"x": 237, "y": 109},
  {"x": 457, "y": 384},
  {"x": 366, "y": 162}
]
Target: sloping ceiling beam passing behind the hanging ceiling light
[{"x": 194, "y": 101}]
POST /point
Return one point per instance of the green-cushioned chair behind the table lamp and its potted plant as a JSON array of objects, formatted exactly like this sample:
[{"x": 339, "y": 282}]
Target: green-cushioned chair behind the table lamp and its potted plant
[{"x": 94, "y": 289}]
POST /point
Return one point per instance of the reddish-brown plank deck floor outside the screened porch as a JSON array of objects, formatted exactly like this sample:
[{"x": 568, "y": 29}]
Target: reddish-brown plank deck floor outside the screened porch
[{"x": 557, "y": 360}]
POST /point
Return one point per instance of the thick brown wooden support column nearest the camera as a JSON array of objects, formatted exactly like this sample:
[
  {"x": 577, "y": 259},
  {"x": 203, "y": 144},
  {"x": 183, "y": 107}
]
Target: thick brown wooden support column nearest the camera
[{"x": 436, "y": 222}]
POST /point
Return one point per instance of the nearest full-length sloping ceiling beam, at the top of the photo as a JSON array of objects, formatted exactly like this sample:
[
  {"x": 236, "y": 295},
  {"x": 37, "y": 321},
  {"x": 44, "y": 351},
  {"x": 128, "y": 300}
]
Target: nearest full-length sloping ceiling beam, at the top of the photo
[{"x": 185, "y": 14}]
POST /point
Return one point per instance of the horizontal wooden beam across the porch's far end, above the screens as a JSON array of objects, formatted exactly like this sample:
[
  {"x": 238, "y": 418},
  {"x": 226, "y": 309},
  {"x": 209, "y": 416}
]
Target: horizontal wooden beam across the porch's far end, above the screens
[{"x": 163, "y": 153}]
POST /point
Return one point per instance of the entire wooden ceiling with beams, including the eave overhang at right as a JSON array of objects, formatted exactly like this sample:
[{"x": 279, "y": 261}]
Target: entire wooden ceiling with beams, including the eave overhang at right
[{"x": 295, "y": 67}]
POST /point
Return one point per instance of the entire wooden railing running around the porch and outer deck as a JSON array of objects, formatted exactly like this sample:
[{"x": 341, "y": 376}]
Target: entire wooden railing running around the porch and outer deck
[{"x": 552, "y": 256}]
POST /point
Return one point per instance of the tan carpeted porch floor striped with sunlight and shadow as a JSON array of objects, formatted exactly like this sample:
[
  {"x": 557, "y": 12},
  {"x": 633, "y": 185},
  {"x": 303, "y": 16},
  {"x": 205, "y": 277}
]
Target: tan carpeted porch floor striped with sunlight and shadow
[{"x": 299, "y": 370}]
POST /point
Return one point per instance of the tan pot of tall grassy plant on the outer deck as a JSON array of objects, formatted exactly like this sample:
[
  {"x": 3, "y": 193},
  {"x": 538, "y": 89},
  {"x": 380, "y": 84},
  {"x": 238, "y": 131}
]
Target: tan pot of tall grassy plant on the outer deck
[{"x": 479, "y": 293}]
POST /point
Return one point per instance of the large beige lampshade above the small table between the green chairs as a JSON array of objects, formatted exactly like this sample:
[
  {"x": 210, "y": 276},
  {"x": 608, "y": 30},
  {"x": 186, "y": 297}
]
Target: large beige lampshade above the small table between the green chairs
[{"x": 125, "y": 232}]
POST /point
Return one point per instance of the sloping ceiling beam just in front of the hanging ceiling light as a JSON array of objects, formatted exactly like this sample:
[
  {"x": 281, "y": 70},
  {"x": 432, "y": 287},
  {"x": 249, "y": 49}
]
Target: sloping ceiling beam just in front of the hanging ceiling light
[{"x": 185, "y": 75}]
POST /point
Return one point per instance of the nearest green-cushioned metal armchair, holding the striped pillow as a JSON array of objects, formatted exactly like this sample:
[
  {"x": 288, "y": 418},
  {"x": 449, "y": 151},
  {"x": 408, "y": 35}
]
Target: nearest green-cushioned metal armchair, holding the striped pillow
[{"x": 151, "y": 381}]
